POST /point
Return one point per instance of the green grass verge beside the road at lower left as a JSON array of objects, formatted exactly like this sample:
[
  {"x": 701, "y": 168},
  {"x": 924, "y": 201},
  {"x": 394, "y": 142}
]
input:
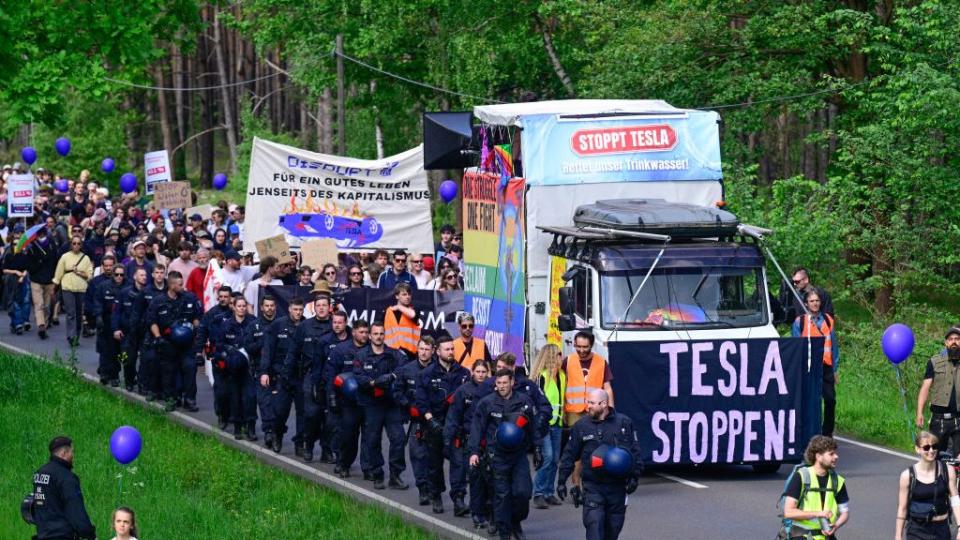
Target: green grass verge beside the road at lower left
[{"x": 183, "y": 485}]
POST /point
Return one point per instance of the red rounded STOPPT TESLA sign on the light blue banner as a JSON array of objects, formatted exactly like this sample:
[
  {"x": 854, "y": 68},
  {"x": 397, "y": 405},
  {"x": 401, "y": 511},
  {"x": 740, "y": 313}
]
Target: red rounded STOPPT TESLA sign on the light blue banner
[{"x": 622, "y": 140}]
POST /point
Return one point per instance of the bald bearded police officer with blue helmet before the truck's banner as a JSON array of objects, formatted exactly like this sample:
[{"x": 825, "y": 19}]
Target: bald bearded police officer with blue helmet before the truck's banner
[{"x": 604, "y": 492}]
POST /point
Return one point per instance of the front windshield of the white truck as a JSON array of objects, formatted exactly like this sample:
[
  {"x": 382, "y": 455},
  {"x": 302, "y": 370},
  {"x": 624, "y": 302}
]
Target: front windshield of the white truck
[{"x": 689, "y": 298}]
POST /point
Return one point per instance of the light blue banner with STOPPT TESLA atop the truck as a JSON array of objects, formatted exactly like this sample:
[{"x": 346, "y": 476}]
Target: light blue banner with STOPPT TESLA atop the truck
[{"x": 560, "y": 151}]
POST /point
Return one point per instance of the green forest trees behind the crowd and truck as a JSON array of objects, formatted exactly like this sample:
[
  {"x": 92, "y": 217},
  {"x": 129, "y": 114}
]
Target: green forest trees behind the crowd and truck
[{"x": 840, "y": 118}]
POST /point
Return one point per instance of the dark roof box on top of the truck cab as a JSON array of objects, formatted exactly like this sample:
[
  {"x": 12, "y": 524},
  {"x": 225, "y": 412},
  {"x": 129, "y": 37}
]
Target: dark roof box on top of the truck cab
[{"x": 657, "y": 216}]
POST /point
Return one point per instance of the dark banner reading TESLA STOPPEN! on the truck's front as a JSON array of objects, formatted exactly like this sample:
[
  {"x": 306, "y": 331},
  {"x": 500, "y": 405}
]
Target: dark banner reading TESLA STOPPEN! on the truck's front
[{"x": 720, "y": 401}]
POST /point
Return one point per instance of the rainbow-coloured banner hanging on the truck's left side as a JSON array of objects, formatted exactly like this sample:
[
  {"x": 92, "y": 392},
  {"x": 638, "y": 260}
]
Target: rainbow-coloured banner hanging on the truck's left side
[{"x": 495, "y": 267}]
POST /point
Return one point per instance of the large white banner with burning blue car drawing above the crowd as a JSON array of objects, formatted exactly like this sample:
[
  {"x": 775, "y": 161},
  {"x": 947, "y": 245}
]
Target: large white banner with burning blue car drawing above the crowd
[{"x": 360, "y": 204}]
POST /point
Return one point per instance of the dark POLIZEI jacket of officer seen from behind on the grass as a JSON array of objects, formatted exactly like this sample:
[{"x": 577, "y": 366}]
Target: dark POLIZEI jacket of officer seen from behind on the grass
[{"x": 58, "y": 508}]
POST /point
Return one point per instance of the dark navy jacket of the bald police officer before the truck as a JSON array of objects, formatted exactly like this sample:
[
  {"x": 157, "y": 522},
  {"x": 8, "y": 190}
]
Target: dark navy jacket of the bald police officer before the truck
[{"x": 587, "y": 434}]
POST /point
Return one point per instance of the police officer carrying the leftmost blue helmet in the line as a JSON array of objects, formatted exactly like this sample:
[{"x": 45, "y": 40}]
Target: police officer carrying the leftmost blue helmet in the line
[{"x": 176, "y": 306}]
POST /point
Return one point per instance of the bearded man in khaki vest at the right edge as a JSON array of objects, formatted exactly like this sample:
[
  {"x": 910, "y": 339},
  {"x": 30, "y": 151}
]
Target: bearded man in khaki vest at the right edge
[{"x": 940, "y": 384}]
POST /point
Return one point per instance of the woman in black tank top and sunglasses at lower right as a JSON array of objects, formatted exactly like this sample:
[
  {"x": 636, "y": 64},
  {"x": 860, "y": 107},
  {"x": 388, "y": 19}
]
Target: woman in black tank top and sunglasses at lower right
[{"x": 928, "y": 494}]
